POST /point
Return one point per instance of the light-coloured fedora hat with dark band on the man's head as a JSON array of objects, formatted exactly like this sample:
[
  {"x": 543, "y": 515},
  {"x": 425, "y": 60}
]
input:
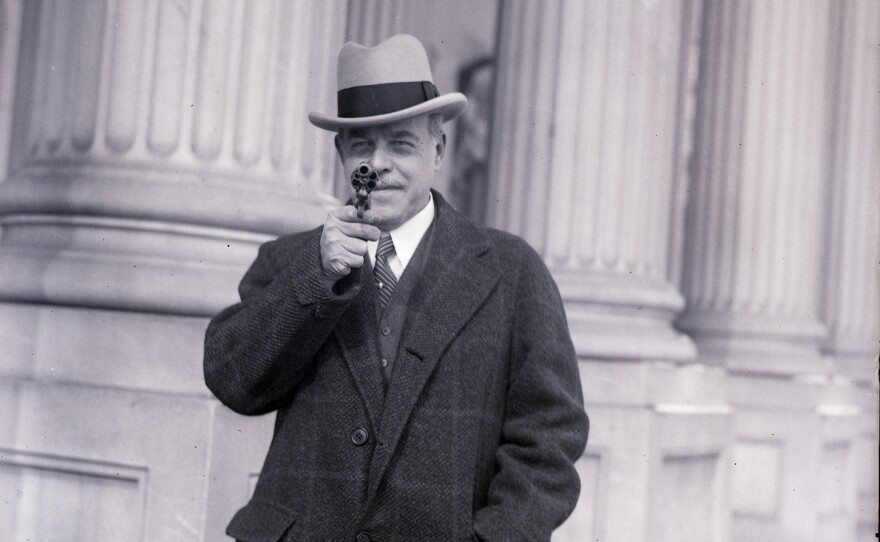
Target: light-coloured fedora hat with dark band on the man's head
[{"x": 386, "y": 83}]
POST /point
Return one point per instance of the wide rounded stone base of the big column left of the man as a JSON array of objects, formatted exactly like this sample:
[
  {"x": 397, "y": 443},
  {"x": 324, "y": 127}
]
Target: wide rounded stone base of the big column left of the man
[{"x": 157, "y": 244}]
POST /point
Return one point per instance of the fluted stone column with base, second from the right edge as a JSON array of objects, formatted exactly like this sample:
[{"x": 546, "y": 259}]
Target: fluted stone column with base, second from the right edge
[{"x": 752, "y": 271}]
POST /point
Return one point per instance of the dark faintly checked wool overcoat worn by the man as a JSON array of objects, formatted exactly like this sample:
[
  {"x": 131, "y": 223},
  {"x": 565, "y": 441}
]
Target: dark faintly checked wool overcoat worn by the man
[{"x": 483, "y": 418}]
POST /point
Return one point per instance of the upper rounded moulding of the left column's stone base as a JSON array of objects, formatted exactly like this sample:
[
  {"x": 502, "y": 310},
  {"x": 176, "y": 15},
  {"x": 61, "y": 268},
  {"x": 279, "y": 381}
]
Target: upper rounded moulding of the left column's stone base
[{"x": 178, "y": 197}]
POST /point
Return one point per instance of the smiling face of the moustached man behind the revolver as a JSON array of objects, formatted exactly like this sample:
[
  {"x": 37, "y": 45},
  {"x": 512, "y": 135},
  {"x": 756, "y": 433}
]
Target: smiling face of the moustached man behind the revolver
[{"x": 405, "y": 156}]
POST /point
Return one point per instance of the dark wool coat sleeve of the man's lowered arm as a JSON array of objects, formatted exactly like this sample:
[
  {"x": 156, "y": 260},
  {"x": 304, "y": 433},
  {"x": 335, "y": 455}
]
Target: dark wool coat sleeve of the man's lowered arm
[{"x": 545, "y": 426}]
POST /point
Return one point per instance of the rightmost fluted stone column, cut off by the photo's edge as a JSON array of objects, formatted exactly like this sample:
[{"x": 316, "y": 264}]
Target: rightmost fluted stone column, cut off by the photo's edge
[{"x": 851, "y": 302}]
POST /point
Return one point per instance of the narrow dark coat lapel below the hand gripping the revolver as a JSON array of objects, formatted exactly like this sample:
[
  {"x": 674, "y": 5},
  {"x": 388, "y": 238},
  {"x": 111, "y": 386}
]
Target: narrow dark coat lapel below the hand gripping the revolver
[{"x": 355, "y": 334}]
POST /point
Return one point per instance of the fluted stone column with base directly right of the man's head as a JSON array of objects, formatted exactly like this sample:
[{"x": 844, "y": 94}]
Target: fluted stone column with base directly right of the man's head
[{"x": 584, "y": 162}]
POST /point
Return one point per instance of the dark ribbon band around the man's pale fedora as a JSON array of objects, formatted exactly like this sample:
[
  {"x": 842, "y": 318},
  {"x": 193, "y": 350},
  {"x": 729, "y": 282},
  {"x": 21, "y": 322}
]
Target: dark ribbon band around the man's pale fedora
[{"x": 372, "y": 100}]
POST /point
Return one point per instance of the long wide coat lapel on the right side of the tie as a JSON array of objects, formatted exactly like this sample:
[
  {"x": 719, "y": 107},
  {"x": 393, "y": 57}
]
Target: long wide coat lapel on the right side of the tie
[{"x": 458, "y": 277}]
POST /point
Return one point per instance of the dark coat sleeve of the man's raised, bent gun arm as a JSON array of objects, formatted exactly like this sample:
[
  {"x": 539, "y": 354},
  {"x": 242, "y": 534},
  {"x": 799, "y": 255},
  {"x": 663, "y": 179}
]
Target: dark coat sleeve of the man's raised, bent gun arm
[{"x": 258, "y": 350}]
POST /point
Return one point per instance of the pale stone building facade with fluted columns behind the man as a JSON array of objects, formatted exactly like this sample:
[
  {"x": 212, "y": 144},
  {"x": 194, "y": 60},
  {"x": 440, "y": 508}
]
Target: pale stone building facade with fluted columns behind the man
[{"x": 701, "y": 178}]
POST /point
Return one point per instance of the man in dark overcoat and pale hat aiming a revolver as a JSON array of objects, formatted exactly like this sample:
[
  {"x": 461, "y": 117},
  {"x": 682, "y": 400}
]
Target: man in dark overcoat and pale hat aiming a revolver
[{"x": 425, "y": 383}]
